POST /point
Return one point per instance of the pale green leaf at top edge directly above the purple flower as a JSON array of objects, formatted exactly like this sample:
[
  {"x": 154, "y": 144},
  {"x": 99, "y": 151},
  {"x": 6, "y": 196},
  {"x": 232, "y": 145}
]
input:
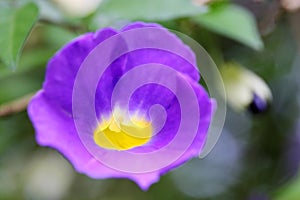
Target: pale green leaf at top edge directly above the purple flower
[{"x": 150, "y": 10}]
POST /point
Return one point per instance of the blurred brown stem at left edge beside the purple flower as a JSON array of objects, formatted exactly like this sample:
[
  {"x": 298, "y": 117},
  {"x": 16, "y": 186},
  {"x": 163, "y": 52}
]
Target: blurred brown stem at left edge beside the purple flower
[{"x": 15, "y": 106}]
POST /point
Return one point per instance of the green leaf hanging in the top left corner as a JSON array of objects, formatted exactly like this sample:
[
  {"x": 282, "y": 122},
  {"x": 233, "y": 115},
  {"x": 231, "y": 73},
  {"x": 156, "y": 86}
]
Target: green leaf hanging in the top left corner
[{"x": 15, "y": 26}]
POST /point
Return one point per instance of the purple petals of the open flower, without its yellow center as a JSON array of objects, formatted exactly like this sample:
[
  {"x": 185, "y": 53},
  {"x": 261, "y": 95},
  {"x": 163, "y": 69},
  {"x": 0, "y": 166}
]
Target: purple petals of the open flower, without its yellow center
[{"x": 55, "y": 121}]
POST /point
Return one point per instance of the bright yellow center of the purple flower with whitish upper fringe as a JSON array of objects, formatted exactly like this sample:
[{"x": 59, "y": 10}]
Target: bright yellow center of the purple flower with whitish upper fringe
[{"x": 121, "y": 133}]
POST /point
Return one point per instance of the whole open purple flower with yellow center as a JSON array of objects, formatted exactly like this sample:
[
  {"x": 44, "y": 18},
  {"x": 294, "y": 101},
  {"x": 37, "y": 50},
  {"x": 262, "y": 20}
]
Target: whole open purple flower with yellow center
[{"x": 123, "y": 104}]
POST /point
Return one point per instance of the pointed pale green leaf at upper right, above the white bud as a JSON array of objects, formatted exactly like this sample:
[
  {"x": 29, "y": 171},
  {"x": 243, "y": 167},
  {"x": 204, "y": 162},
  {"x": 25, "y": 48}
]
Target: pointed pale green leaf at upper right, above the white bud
[{"x": 234, "y": 22}]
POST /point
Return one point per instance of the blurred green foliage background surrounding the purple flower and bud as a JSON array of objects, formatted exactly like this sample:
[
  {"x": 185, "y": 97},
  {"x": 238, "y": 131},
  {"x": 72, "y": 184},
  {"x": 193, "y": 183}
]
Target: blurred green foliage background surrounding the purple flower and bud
[{"x": 257, "y": 156}]
